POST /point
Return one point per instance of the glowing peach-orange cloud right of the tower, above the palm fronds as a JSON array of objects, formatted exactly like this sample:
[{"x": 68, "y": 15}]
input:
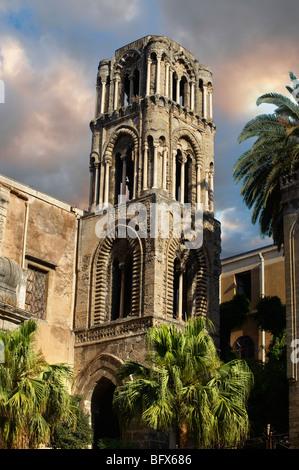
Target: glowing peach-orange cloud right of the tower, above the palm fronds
[{"x": 242, "y": 79}]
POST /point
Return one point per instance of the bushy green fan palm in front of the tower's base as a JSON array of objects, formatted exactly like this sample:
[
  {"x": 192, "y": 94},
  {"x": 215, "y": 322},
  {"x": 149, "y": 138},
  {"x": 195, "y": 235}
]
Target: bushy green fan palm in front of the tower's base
[{"x": 184, "y": 387}]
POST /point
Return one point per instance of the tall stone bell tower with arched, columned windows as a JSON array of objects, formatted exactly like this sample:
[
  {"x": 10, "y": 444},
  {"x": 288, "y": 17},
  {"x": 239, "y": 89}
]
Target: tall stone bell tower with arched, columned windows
[{"x": 151, "y": 158}]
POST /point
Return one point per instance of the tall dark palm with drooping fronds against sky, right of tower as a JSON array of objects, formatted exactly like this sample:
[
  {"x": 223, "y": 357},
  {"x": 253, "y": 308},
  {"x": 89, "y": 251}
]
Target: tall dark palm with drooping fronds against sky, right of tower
[{"x": 274, "y": 154}]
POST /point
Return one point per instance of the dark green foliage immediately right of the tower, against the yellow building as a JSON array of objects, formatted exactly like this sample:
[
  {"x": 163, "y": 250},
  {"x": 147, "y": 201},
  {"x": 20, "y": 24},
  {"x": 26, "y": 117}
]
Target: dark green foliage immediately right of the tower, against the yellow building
[{"x": 233, "y": 314}]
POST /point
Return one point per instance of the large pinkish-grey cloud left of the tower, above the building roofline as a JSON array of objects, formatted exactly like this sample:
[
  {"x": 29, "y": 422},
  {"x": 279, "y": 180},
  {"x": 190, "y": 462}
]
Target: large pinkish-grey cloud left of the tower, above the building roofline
[{"x": 44, "y": 122}]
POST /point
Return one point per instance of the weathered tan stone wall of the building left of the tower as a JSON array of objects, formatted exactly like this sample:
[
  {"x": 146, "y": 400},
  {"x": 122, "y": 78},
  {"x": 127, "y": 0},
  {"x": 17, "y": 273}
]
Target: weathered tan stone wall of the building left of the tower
[{"x": 41, "y": 231}]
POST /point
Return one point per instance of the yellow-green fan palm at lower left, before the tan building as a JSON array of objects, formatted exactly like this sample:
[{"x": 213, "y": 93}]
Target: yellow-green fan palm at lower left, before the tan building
[{"x": 33, "y": 394}]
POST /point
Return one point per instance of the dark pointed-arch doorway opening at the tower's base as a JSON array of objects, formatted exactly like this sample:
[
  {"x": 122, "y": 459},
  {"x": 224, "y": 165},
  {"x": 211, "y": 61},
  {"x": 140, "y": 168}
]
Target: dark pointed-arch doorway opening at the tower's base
[{"x": 104, "y": 420}]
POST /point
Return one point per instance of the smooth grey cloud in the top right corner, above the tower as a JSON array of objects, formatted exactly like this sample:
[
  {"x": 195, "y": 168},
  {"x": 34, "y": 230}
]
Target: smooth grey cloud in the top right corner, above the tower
[{"x": 217, "y": 29}]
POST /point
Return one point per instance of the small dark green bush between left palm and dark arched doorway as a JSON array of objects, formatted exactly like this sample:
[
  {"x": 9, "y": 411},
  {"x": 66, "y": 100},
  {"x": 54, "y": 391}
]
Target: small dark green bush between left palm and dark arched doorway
[{"x": 69, "y": 436}]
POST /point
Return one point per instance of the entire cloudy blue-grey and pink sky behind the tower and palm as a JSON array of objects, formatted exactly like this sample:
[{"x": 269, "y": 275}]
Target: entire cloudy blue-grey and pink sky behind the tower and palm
[{"x": 49, "y": 53}]
